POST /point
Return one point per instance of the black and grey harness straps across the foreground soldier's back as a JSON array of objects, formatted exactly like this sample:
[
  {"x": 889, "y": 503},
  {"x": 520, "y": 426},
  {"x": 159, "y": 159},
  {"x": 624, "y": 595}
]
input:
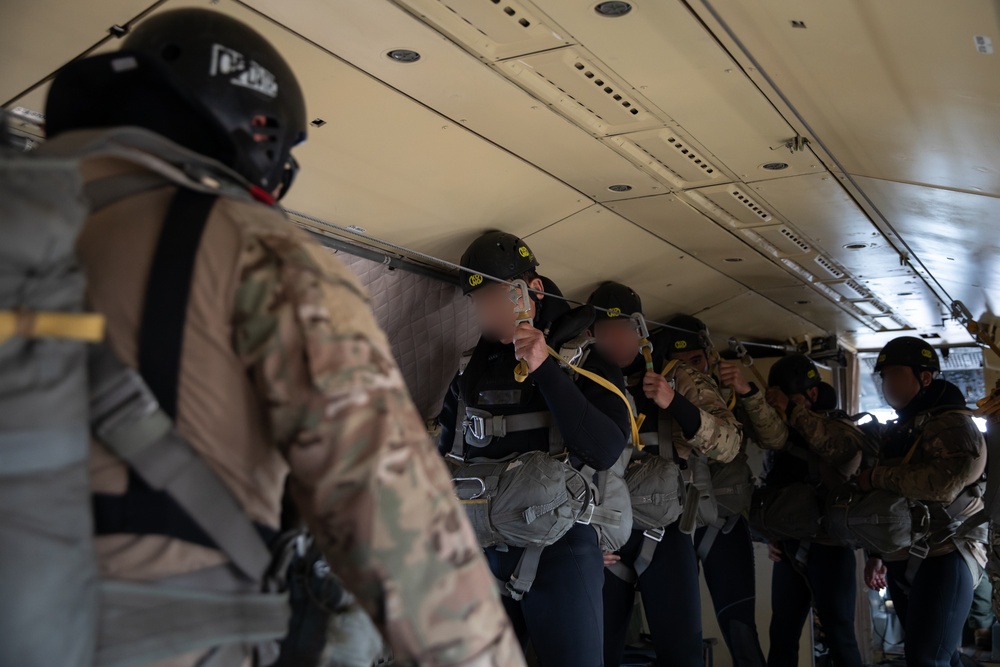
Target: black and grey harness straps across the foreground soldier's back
[{"x": 133, "y": 414}]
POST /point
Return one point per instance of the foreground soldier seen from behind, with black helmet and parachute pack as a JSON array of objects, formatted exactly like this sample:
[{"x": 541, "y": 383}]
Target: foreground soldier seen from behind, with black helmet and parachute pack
[{"x": 262, "y": 362}]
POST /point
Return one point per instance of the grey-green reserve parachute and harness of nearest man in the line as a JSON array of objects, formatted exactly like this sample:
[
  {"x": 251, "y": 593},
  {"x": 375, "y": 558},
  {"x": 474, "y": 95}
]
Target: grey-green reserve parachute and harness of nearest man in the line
[{"x": 532, "y": 500}]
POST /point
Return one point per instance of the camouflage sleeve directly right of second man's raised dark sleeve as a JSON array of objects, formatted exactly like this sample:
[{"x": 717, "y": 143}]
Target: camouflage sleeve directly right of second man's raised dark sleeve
[{"x": 720, "y": 435}]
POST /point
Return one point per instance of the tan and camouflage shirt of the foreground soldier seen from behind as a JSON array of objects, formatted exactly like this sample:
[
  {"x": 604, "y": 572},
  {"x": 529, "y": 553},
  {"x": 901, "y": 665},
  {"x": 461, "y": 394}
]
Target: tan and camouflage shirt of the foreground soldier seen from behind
[{"x": 285, "y": 372}]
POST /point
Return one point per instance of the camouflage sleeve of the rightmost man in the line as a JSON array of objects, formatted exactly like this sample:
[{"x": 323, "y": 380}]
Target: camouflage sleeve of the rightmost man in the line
[{"x": 951, "y": 456}]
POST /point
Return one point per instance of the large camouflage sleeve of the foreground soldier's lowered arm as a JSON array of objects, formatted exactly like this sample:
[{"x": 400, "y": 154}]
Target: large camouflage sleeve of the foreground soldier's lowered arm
[{"x": 363, "y": 471}]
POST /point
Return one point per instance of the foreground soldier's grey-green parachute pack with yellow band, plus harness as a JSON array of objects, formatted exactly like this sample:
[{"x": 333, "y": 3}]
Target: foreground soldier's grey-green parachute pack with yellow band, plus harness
[{"x": 61, "y": 385}]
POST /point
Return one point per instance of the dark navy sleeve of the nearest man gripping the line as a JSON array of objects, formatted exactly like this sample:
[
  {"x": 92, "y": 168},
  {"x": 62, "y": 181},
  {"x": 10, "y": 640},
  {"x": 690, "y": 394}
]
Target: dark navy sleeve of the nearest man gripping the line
[{"x": 592, "y": 420}]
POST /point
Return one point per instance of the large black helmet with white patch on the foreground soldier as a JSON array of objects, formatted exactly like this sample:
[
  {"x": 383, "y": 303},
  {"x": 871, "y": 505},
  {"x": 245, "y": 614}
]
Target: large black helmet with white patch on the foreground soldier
[{"x": 199, "y": 78}]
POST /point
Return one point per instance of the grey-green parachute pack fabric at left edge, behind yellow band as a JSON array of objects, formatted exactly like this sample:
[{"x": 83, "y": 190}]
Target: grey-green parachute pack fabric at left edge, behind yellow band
[{"x": 48, "y": 572}]
